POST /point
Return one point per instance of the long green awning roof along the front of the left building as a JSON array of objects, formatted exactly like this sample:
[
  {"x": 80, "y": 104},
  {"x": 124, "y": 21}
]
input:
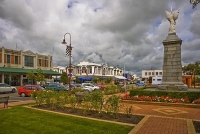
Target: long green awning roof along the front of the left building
[{"x": 23, "y": 70}]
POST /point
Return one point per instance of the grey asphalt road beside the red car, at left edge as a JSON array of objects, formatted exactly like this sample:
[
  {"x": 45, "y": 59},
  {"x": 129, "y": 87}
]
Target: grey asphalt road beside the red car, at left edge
[{"x": 13, "y": 97}]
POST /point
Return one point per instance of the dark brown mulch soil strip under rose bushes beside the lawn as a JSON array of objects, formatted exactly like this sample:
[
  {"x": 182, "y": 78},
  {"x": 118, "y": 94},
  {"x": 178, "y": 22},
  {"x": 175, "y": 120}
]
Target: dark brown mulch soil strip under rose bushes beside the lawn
[{"x": 124, "y": 118}]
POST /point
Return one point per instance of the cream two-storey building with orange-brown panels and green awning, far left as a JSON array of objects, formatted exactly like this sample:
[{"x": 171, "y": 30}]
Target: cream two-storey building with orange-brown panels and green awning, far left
[{"x": 15, "y": 64}]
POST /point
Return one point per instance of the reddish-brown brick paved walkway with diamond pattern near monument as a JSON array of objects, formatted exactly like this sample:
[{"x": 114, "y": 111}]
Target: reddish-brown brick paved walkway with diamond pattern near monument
[{"x": 158, "y": 119}]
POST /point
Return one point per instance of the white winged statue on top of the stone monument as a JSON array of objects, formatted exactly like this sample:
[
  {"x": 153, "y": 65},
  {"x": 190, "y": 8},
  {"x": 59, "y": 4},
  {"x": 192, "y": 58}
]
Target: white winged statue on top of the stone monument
[{"x": 172, "y": 17}]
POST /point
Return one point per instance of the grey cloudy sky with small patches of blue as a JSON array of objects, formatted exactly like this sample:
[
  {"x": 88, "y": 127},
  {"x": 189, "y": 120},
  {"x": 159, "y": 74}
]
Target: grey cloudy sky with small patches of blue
[{"x": 117, "y": 32}]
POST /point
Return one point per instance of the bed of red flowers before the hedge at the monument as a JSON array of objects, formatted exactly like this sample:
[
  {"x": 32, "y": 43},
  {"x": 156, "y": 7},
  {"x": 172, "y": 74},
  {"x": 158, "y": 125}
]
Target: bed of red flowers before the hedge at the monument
[{"x": 159, "y": 99}]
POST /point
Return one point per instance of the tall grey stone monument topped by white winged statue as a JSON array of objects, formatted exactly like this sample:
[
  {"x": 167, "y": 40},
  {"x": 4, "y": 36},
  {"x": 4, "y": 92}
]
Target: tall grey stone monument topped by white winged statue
[{"x": 172, "y": 67}]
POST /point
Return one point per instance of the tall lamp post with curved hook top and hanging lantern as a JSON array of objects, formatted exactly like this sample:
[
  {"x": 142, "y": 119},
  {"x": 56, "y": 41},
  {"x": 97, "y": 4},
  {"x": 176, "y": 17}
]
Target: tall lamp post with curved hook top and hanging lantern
[{"x": 69, "y": 53}]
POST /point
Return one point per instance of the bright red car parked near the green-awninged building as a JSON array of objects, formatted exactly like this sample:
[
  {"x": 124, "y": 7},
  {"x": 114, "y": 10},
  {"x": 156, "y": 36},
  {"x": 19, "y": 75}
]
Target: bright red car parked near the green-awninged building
[{"x": 27, "y": 89}]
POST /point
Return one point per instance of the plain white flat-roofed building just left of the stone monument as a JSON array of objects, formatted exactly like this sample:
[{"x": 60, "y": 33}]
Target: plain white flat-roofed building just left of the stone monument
[{"x": 151, "y": 73}]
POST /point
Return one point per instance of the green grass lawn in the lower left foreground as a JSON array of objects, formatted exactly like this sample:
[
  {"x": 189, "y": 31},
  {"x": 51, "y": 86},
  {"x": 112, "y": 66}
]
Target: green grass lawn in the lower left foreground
[{"x": 21, "y": 120}]
